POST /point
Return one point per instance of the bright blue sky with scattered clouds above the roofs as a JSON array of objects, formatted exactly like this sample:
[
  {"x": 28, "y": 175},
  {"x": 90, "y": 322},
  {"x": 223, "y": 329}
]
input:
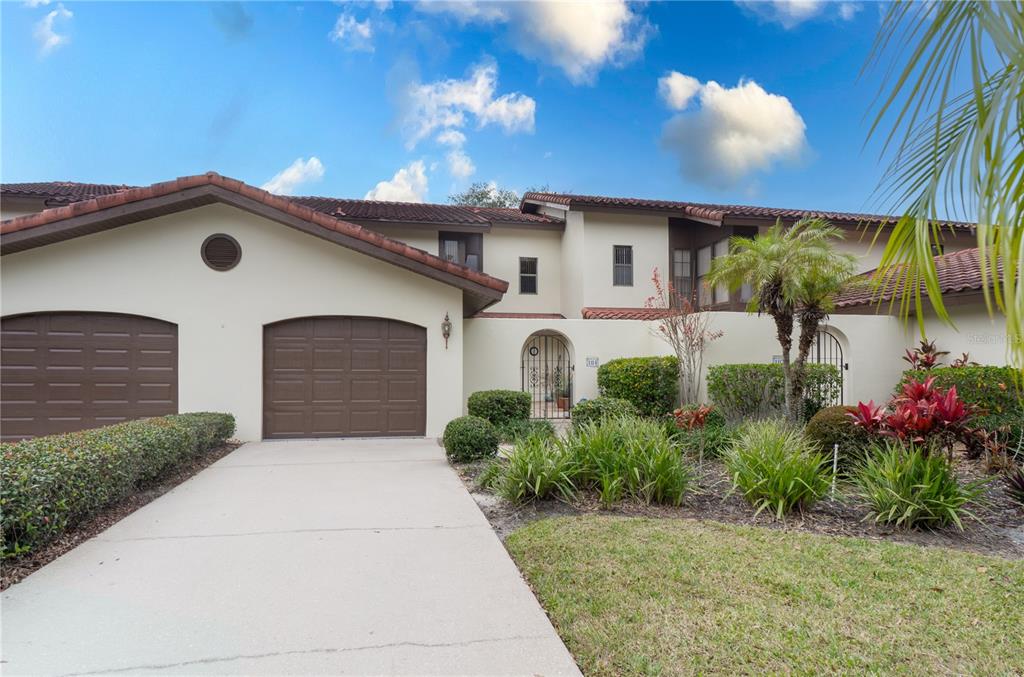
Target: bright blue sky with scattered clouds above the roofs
[{"x": 415, "y": 101}]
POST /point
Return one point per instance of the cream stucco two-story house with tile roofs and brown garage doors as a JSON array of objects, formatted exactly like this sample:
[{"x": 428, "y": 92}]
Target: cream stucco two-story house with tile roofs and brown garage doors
[{"x": 319, "y": 317}]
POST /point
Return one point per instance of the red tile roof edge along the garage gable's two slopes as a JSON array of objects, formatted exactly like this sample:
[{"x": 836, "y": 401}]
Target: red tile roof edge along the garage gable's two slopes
[{"x": 129, "y": 196}]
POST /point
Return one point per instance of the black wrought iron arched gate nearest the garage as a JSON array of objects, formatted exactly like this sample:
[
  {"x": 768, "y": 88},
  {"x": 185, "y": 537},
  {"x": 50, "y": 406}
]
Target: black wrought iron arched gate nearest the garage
[{"x": 547, "y": 375}]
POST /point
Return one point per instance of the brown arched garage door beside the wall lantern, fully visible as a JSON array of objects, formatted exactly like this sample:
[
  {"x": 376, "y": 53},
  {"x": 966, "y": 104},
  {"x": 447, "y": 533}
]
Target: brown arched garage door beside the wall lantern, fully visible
[{"x": 345, "y": 377}]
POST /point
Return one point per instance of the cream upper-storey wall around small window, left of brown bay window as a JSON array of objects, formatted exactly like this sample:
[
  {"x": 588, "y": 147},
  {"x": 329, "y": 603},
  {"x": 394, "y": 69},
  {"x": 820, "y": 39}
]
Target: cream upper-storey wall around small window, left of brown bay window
[{"x": 650, "y": 238}]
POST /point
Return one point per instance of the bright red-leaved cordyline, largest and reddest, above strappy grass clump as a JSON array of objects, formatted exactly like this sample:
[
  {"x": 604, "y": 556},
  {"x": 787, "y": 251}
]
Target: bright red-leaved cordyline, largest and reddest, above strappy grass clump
[{"x": 921, "y": 413}]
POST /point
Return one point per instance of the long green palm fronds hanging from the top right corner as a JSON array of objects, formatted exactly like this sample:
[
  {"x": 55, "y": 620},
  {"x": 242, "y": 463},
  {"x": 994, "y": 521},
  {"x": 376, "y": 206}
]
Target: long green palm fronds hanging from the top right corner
[{"x": 955, "y": 100}]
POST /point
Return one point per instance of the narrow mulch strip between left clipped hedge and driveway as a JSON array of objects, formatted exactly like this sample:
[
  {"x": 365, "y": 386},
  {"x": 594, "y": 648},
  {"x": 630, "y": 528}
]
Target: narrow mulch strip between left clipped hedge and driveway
[{"x": 16, "y": 569}]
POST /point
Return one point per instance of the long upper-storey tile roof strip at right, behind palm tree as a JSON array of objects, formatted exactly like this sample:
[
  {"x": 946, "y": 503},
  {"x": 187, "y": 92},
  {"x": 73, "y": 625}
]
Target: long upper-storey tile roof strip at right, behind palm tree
[{"x": 714, "y": 213}]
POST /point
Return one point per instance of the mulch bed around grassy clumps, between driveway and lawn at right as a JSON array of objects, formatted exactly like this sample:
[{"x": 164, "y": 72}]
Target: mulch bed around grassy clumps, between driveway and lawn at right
[{"x": 1000, "y": 533}]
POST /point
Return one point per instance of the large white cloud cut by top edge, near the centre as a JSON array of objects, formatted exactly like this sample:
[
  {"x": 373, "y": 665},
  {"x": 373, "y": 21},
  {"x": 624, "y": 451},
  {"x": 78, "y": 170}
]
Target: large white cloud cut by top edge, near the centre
[{"x": 580, "y": 38}]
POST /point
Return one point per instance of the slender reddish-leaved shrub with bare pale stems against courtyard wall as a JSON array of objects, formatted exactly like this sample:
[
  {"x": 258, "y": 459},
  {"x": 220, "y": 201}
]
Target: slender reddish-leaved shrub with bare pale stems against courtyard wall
[{"x": 687, "y": 330}]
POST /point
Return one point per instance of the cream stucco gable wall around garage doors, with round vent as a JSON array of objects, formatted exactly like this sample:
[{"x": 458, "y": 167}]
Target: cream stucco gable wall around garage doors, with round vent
[{"x": 154, "y": 269}]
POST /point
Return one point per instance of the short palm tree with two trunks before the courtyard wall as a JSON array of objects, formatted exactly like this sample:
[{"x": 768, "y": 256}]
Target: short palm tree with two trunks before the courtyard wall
[{"x": 795, "y": 273}]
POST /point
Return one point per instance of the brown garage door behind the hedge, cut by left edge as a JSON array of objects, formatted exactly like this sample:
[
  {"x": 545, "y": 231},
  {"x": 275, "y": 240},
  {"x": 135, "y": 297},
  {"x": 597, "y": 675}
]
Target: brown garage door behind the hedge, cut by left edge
[{"x": 70, "y": 371}]
